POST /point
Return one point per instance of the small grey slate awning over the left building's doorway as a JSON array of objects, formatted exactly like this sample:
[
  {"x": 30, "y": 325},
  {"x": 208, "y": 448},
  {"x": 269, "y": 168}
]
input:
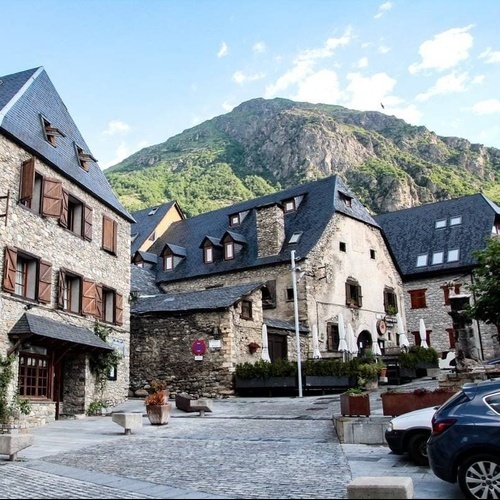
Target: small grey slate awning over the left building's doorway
[{"x": 50, "y": 333}]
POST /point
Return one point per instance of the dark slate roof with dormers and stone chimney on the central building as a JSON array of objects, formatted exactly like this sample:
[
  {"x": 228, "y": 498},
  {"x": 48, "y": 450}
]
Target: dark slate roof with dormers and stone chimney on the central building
[{"x": 322, "y": 199}]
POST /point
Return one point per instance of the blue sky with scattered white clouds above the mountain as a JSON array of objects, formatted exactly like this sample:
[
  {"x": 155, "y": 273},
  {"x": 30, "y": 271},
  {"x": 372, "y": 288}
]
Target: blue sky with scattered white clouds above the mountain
[{"x": 134, "y": 73}]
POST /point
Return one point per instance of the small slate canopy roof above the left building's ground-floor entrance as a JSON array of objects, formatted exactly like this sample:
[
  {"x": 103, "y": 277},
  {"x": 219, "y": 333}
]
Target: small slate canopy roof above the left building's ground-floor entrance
[{"x": 57, "y": 330}]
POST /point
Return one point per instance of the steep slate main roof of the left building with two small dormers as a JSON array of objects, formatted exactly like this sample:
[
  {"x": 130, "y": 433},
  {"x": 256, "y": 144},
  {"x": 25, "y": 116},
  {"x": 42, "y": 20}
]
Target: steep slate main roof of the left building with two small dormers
[{"x": 26, "y": 95}]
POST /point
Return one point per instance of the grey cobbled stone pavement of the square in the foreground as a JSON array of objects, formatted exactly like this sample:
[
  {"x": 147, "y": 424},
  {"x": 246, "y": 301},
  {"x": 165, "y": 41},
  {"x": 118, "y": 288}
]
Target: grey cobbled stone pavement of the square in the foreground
[{"x": 282, "y": 447}]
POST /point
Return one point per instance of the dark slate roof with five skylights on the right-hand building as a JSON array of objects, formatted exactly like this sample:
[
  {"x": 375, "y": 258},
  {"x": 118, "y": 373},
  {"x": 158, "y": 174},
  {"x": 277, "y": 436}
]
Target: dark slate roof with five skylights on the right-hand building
[{"x": 411, "y": 232}]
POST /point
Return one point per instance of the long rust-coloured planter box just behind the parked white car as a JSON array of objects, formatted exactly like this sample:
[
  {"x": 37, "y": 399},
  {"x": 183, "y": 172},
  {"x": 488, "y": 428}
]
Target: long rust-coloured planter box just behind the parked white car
[{"x": 397, "y": 403}]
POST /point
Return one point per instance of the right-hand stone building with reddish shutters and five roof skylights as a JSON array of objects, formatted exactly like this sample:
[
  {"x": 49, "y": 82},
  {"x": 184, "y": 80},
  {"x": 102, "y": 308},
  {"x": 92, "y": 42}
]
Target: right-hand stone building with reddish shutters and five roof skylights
[{"x": 433, "y": 246}]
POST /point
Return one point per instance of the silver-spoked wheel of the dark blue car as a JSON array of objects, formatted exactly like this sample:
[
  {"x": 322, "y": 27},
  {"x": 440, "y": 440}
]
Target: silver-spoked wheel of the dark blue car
[{"x": 479, "y": 476}]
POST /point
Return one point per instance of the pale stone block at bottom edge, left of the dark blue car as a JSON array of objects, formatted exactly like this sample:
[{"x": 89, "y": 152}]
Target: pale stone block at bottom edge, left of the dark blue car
[{"x": 387, "y": 487}]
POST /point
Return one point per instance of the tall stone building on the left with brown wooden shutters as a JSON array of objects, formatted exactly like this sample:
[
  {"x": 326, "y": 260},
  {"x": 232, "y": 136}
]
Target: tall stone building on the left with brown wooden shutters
[{"x": 65, "y": 249}]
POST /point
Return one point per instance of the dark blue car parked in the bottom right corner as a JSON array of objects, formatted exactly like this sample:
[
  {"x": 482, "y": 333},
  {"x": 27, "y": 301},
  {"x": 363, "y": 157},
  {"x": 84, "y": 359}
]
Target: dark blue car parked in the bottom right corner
[{"x": 465, "y": 442}]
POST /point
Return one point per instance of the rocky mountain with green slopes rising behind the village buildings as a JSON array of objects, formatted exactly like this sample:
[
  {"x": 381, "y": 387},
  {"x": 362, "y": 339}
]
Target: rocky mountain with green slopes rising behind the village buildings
[{"x": 266, "y": 145}]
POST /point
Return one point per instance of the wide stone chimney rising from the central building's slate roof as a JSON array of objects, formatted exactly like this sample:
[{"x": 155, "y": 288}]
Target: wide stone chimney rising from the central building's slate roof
[{"x": 270, "y": 229}]
